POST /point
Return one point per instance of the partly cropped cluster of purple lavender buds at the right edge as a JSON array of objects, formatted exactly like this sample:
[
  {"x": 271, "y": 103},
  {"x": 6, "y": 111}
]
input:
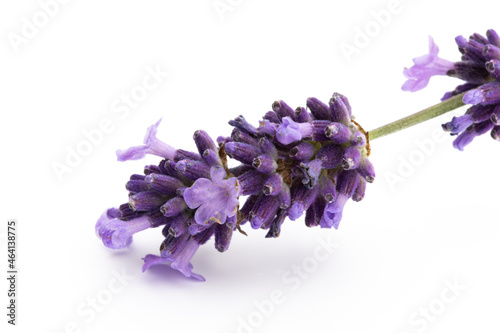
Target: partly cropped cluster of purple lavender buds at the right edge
[{"x": 479, "y": 67}]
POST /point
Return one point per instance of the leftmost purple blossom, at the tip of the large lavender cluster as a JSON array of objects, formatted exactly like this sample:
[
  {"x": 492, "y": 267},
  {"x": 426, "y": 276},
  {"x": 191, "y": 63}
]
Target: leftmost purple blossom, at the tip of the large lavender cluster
[{"x": 117, "y": 234}]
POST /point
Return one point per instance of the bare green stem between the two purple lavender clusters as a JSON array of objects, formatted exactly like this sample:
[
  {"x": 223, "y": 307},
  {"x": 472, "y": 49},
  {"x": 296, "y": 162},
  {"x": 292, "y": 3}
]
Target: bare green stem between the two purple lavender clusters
[{"x": 436, "y": 110}]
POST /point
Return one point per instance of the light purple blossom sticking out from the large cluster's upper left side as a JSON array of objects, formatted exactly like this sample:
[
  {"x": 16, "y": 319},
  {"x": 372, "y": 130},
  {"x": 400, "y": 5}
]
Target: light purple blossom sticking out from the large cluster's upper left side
[{"x": 151, "y": 146}]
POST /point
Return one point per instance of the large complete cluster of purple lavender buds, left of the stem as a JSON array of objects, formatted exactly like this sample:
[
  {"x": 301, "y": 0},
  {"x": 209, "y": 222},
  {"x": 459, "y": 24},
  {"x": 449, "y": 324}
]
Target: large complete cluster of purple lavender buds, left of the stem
[{"x": 295, "y": 162}]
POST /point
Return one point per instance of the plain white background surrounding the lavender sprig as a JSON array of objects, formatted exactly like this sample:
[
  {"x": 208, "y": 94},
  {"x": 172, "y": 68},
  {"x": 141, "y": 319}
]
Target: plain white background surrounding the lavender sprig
[{"x": 394, "y": 252}]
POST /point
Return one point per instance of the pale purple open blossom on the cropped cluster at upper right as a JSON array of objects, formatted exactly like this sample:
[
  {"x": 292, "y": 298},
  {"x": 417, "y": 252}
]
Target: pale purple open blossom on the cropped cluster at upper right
[{"x": 424, "y": 68}]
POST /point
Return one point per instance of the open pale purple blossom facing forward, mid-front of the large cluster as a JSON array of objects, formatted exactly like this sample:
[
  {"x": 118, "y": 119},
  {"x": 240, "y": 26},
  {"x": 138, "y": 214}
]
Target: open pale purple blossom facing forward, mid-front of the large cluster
[{"x": 214, "y": 199}]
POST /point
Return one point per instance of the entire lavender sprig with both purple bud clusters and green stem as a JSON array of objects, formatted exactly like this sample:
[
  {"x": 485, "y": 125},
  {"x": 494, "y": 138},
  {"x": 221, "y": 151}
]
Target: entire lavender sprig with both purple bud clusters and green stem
[{"x": 304, "y": 161}]
